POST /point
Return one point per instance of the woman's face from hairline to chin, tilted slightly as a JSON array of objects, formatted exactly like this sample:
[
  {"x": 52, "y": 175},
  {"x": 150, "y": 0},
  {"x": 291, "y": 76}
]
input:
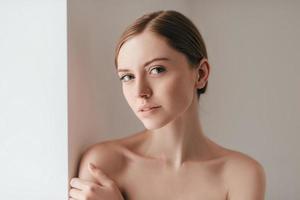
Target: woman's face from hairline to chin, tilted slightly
[{"x": 159, "y": 71}]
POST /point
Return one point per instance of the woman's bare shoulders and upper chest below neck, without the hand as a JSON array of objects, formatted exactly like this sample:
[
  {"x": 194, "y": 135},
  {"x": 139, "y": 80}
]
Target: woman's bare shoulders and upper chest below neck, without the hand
[{"x": 221, "y": 174}]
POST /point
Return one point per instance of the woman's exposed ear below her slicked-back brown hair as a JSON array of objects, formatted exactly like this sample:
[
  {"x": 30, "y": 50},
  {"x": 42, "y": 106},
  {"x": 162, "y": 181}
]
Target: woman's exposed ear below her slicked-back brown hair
[{"x": 202, "y": 73}]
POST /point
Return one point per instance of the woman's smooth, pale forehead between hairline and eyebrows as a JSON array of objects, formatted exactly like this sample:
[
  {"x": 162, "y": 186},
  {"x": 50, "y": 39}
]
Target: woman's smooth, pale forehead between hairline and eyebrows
[{"x": 144, "y": 47}]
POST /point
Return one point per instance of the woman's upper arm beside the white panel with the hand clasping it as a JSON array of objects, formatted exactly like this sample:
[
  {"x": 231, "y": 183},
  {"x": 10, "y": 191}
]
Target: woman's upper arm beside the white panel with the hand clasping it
[{"x": 94, "y": 182}]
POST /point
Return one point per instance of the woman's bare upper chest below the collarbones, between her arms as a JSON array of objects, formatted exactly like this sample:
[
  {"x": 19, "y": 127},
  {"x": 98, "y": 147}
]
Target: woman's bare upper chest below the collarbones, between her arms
[{"x": 193, "y": 183}]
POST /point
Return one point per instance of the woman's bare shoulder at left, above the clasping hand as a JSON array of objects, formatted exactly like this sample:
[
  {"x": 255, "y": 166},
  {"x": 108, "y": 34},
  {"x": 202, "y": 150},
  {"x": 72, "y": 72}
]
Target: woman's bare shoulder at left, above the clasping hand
[{"x": 107, "y": 155}]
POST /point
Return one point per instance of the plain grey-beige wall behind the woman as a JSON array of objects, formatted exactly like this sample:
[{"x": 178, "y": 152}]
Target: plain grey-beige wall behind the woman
[{"x": 252, "y": 101}]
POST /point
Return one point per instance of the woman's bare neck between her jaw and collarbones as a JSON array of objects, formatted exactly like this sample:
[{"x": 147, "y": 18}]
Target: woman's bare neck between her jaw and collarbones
[{"x": 179, "y": 141}]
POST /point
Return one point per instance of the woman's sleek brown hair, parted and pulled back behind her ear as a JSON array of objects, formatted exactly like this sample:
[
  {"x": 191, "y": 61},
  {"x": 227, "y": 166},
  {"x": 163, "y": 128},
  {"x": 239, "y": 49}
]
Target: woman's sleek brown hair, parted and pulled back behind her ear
[{"x": 179, "y": 32}]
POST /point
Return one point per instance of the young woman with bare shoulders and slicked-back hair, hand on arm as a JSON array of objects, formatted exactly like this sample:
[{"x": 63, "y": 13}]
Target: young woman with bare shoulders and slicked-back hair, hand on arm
[{"x": 162, "y": 63}]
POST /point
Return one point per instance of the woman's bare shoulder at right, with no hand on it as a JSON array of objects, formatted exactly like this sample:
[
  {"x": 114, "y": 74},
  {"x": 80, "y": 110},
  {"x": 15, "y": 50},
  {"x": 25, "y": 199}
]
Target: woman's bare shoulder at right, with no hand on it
[{"x": 244, "y": 177}]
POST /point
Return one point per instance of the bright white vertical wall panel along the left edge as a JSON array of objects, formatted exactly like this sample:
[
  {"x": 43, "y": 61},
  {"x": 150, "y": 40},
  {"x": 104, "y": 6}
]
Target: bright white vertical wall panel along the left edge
[{"x": 33, "y": 100}]
